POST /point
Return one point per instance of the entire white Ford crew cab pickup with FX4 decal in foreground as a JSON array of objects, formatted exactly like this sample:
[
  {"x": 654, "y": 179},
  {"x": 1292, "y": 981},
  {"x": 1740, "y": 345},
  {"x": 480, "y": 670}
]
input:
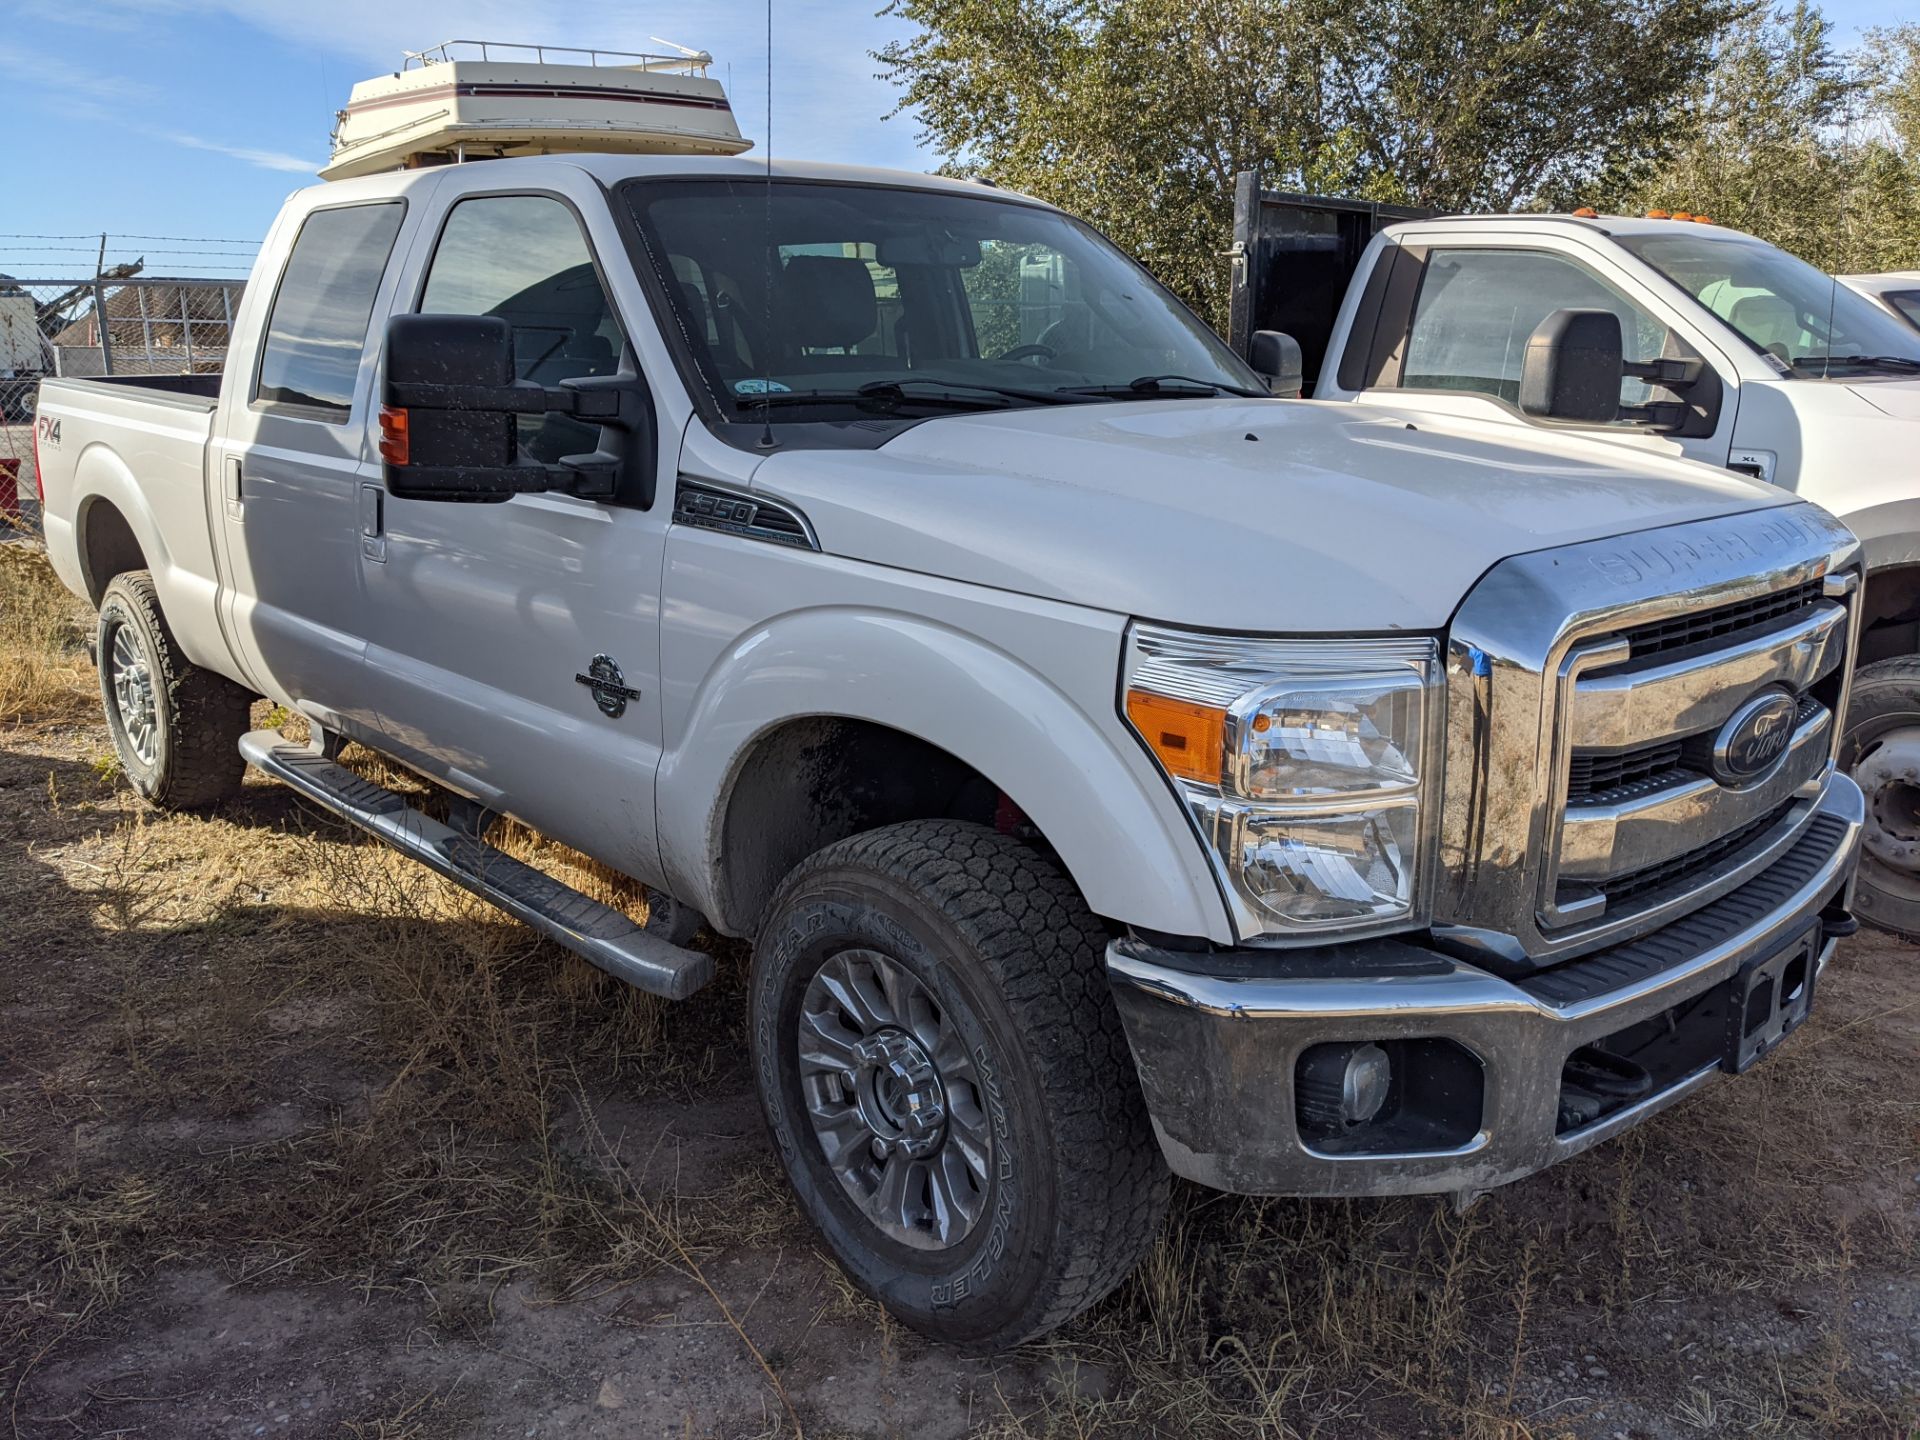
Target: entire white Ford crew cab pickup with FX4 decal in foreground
[{"x": 1118, "y": 771}]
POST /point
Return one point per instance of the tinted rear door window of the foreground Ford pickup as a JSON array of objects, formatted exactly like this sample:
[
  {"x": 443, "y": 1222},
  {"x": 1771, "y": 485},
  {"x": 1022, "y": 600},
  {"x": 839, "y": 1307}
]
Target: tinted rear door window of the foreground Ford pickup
[{"x": 318, "y": 329}]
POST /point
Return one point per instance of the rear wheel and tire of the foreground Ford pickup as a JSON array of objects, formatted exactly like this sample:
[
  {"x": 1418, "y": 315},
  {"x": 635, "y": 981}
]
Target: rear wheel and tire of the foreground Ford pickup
[{"x": 176, "y": 727}]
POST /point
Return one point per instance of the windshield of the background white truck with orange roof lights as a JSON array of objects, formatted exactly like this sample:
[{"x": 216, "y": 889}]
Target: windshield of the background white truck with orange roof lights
[{"x": 1783, "y": 306}]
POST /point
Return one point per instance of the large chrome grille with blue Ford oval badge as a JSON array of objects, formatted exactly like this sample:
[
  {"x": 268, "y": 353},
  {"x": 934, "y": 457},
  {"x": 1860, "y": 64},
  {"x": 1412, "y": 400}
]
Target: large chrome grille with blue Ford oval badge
[{"x": 1589, "y": 688}]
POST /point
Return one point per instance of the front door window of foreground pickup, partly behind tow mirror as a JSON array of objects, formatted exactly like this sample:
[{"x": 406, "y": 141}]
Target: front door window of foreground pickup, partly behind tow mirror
[{"x": 525, "y": 260}]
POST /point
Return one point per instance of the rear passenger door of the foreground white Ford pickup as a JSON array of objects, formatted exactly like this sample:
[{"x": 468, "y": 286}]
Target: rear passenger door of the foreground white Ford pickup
[{"x": 291, "y": 458}]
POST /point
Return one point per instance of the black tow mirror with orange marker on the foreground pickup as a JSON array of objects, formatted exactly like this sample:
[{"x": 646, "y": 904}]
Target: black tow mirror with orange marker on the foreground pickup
[{"x": 450, "y": 404}]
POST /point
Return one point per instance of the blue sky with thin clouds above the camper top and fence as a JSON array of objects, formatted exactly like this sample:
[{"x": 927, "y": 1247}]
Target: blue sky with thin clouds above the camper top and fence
[{"x": 195, "y": 118}]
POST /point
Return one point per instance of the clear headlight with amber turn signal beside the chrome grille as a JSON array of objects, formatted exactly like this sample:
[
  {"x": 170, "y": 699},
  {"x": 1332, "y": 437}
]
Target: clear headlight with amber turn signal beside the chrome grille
[{"x": 1307, "y": 763}]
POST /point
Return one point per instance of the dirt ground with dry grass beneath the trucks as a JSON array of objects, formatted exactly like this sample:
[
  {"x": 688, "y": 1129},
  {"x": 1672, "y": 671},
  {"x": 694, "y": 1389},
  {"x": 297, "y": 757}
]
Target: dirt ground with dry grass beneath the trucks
[{"x": 299, "y": 1141}]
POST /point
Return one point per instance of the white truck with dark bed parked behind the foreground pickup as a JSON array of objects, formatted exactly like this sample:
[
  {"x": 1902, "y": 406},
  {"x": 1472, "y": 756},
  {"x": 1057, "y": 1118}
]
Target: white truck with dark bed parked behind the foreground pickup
[{"x": 1731, "y": 352}]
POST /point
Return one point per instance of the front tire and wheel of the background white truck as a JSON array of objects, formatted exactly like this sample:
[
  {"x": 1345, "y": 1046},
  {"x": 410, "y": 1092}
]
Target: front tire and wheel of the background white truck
[{"x": 1883, "y": 754}]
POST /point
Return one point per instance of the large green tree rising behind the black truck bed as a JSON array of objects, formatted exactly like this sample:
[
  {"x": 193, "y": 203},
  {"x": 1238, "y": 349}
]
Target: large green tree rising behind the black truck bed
[{"x": 1138, "y": 114}]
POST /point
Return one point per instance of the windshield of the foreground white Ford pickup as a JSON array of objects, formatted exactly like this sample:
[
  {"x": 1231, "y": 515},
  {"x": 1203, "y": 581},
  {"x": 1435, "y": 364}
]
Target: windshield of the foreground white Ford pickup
[{"x": 828, "y": 302}]
